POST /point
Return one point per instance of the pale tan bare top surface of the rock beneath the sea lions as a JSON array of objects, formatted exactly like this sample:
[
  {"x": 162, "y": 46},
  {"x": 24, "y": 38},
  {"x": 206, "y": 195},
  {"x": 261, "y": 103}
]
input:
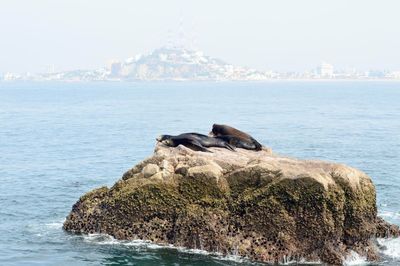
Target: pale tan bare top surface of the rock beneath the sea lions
[{"x": 291, "y": 168}]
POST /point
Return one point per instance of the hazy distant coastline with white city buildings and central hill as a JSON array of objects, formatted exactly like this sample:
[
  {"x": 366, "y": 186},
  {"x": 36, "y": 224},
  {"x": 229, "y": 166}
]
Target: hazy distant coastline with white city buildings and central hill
[{"x": 177, "y": 62}]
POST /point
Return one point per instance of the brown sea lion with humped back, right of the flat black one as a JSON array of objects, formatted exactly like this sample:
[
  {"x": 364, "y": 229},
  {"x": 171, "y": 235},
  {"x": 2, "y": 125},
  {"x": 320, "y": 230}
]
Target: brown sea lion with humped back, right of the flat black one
[{"x": 242, "y": 140}]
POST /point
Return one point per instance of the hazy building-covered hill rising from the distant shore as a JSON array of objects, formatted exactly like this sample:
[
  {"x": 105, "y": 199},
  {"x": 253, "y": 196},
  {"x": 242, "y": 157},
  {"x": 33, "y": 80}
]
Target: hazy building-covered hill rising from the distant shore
[{"x": 180, "y": 64}]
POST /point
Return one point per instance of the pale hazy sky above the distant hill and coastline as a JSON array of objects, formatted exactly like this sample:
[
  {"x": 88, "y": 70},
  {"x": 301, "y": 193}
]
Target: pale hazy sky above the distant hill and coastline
[{"x": 281, "y": 35}]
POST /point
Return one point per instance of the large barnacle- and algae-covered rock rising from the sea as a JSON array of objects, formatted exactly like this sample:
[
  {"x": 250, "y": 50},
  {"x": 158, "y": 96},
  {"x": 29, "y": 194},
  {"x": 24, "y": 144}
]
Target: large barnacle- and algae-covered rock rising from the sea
[{"x": 254, "y": 204}]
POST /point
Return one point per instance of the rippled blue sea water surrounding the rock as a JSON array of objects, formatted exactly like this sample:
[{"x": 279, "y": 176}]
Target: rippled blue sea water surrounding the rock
[{"x": 60, "y": 140}]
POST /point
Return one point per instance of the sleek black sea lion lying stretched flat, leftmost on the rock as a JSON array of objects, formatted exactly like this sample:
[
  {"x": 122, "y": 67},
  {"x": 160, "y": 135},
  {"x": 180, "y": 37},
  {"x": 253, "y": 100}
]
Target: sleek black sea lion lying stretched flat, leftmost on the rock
[{"x": 194, "y": 141}]
